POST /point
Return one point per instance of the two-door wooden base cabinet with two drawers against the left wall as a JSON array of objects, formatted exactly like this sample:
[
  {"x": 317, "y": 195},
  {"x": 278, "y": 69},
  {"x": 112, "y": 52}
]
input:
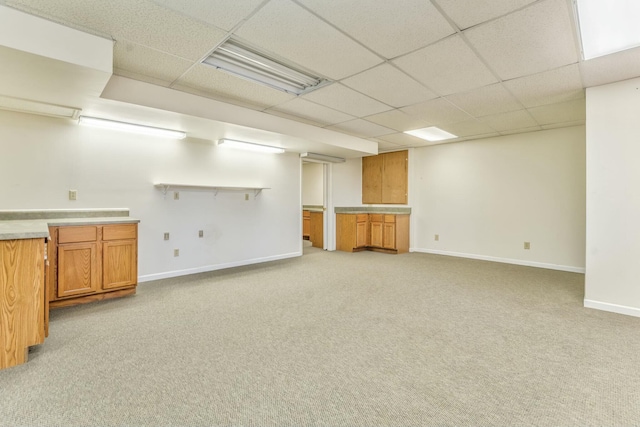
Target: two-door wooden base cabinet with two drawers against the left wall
[{"x": 92, "y": 262}]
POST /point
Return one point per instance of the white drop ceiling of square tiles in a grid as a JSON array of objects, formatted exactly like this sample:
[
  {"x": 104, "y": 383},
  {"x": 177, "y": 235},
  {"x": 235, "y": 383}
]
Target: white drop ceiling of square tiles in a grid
[{"x": 473, "y": 68}]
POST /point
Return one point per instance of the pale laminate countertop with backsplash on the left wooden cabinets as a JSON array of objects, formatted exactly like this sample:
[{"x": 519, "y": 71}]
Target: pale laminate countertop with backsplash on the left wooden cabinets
[{"x": 35, "y": 224}]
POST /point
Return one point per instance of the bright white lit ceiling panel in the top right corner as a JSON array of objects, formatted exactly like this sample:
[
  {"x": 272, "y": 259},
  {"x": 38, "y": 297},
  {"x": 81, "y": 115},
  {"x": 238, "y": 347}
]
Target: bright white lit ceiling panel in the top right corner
[{"x": 607, "y": 26}]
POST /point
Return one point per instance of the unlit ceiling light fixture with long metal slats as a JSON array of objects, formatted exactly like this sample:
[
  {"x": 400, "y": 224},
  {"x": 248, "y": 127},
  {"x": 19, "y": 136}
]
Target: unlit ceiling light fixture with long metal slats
[{"x": 249, "y": 63}]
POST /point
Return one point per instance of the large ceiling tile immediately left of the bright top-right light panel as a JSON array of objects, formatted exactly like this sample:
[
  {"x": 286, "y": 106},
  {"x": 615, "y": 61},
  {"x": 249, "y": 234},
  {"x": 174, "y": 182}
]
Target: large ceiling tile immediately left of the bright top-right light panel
[{"x": 537, "y": 38}]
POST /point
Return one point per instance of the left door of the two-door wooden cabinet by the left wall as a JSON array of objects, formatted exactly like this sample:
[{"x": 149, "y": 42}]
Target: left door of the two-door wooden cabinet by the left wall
[{"x": 78, "y": 270}]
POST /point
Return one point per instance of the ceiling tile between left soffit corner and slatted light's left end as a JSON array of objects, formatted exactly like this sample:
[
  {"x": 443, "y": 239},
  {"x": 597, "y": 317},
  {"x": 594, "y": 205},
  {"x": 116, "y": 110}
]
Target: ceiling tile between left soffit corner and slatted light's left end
[{"x": 149, "y": 64}]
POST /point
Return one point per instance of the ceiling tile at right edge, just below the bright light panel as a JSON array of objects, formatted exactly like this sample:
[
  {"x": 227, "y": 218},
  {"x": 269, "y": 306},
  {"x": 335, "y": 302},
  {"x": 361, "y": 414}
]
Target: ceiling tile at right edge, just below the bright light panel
[{"x": 611, "y": 68}]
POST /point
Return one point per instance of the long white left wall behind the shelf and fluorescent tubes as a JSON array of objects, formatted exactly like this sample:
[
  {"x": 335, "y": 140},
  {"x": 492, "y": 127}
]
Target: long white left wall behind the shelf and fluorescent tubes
[{"x": 42, "y": 158}]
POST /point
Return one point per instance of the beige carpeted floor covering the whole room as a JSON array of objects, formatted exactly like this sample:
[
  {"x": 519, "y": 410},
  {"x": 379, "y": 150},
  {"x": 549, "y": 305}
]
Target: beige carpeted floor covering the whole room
[{"x": 337, "y": 339}]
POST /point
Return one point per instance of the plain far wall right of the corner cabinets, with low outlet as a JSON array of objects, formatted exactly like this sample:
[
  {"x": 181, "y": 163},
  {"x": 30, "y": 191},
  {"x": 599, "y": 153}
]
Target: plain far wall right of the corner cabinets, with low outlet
[{"x": 485, "y": 198}]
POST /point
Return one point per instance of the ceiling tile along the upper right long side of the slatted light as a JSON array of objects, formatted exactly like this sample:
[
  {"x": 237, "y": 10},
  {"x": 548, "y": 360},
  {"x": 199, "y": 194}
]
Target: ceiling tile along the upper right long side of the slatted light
[{"x": 292, "y": 32}]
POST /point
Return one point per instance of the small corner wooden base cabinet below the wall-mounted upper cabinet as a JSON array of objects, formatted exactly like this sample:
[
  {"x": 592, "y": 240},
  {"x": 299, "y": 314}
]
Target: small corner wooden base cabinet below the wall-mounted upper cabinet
[{"x": 376, "y": 232}]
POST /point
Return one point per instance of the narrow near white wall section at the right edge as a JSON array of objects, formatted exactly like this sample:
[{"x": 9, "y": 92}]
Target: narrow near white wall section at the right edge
[{"x": 613, "y": 199}]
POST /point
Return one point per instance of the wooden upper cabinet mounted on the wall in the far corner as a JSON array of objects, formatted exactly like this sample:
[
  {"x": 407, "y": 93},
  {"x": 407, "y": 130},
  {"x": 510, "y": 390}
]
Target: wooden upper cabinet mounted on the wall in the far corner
[{"x": 385, "y": 178}]
